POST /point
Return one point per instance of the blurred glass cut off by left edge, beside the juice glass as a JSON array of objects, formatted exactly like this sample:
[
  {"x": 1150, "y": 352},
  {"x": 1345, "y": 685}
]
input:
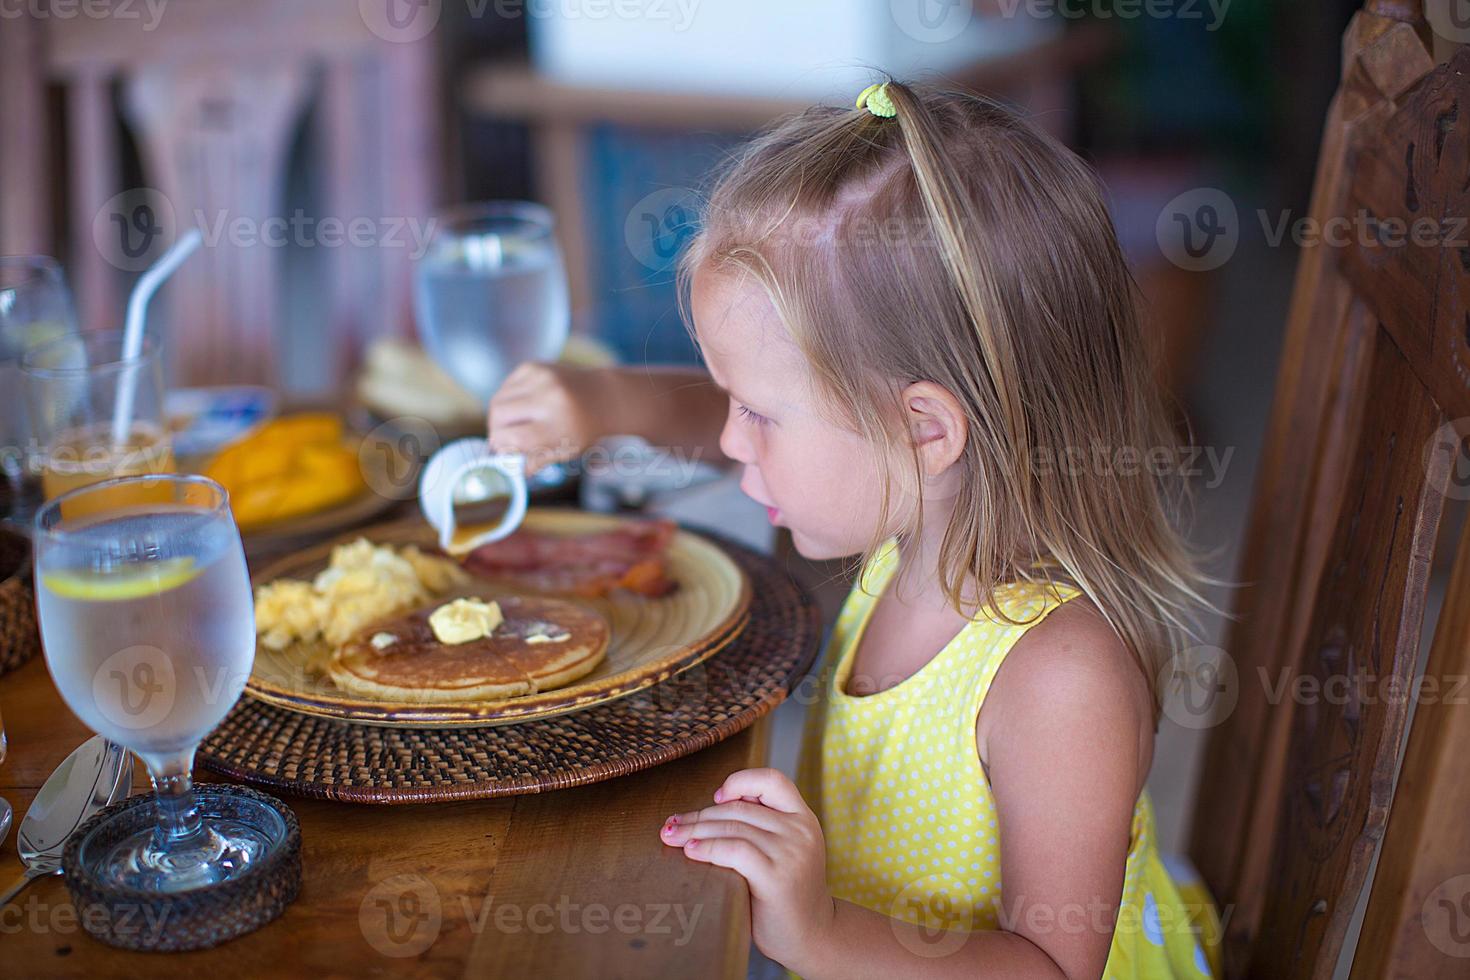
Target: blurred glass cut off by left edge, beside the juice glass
[{"x": 36, "y": 306}]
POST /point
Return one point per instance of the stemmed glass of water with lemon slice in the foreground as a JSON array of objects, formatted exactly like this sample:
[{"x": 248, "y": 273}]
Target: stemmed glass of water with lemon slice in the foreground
[{"x": 148, "y": 624}]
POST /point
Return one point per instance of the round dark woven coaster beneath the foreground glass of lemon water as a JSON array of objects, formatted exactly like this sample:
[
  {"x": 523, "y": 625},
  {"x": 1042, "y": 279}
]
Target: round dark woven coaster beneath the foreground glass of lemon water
[{"x": 198, "y": 919}]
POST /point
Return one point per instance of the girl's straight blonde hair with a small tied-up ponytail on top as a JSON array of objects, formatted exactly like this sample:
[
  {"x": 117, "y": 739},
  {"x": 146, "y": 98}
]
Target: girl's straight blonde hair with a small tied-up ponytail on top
[{"x": 959, "y": 245}]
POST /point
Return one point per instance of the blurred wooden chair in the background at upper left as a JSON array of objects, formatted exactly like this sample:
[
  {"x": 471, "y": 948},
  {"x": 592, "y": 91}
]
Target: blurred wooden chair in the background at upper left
[{"x": 226, "y": 115}]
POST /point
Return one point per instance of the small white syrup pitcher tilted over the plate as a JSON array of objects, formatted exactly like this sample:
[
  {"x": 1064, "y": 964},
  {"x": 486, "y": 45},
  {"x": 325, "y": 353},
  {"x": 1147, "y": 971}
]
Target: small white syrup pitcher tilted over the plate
[{"x": 464, "y": 475}]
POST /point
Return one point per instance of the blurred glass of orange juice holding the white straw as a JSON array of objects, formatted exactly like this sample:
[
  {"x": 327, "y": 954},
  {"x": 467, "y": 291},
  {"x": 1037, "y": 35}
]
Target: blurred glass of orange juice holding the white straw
[{"x": 74, "y": 386}]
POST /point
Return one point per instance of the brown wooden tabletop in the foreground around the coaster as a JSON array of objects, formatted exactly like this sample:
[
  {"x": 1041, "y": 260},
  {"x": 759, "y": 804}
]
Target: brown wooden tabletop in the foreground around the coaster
[{"x": 565, "y": 885}]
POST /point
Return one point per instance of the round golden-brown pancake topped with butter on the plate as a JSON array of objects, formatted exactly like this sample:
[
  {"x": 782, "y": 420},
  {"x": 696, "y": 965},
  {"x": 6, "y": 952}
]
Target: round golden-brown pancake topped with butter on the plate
[{"x": 418, "y": 668}]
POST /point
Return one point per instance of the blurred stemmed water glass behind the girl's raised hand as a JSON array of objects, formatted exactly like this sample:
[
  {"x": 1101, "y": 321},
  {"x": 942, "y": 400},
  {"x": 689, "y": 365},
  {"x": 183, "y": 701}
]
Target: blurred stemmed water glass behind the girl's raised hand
[{"x": 492, "y": 293}]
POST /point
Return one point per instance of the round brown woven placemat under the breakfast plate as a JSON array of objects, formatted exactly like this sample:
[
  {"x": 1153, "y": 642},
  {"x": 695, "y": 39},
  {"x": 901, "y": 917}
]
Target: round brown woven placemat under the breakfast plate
[{"x": 337, "y": 760}]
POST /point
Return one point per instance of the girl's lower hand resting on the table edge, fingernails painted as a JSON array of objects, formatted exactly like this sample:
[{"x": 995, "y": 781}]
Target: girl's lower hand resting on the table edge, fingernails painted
[{"x": 764, "y": 829}]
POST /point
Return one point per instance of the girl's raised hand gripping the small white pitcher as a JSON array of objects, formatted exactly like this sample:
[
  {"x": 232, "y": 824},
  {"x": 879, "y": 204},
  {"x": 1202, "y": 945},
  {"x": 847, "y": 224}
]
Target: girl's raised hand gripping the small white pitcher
[{"x": 552, "y": 412}]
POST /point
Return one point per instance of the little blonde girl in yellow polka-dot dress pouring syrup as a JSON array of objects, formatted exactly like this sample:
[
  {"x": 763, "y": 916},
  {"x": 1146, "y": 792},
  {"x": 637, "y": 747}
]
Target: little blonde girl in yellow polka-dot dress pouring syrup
[{"x": 928, "y": 339}]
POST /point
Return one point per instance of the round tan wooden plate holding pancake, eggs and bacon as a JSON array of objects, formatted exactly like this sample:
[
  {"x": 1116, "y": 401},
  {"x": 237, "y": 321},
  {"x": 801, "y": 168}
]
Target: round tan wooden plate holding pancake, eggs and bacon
[{"x": 652, "y": 640}]
